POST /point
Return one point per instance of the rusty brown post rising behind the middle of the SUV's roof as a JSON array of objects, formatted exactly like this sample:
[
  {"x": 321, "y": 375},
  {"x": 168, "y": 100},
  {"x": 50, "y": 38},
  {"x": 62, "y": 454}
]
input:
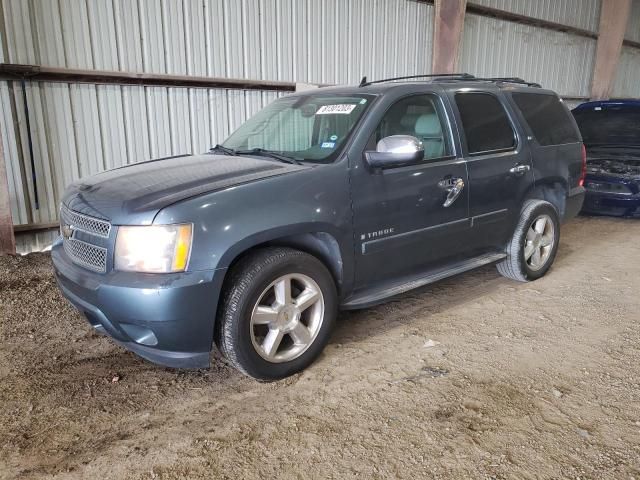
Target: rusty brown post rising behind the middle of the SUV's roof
[{"x": 447, "y": 34}]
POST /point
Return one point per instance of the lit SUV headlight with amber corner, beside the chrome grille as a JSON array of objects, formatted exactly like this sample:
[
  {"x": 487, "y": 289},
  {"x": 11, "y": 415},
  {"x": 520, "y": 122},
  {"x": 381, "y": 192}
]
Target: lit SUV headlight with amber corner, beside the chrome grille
[{"x": 153, "y": 249}]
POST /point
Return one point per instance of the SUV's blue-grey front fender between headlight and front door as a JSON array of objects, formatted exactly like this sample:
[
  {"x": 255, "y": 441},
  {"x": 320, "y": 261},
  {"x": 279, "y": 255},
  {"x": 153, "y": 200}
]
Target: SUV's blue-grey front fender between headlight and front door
[{"x": 308, "y": 209}]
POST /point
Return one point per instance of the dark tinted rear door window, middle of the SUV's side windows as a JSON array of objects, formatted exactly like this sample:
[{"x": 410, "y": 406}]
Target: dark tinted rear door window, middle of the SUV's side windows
[{"x": 485, "y": 122}]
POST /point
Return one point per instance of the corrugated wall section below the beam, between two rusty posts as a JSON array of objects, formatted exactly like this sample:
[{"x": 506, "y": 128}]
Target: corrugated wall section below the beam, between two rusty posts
[{"x": 560, "y": 61}]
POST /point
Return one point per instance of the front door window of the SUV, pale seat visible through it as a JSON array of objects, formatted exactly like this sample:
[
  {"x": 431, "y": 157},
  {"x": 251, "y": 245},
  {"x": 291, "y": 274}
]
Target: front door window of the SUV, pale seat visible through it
[{"x": 419, "y": 117}]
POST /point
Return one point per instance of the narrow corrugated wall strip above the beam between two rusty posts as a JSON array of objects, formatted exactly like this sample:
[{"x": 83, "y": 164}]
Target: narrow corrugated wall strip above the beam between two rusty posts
[{"x": 583, "y": 14}]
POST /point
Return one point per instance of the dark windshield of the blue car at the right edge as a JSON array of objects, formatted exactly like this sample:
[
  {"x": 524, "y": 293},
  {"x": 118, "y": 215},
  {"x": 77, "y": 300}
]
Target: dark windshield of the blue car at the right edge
[{"x": 609, "y": 125}]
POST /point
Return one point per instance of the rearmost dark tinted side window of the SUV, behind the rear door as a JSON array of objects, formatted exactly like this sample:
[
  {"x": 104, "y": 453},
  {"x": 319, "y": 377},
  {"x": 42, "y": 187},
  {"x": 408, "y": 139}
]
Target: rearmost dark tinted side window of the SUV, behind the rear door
[{"x": 548, "y": 119}]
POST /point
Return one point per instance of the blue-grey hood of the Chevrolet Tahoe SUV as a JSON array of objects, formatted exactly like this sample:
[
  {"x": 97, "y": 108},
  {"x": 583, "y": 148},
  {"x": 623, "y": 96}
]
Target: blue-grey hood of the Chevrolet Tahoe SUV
[{"x": 136, "y": 193}]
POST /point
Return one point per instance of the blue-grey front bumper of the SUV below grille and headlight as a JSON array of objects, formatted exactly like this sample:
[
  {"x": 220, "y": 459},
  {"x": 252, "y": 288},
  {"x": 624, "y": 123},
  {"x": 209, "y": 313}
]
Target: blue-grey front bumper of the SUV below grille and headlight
[{"x": 166, "y": 318}]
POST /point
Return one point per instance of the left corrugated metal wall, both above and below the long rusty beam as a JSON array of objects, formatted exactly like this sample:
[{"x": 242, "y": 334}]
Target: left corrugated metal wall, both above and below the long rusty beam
[{"x": 79, "y": 130}]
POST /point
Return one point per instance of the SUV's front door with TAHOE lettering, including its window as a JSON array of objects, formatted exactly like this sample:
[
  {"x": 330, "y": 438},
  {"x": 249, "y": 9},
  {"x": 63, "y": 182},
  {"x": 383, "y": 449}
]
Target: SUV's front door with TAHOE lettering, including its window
[{"x": 403, "y": 221}]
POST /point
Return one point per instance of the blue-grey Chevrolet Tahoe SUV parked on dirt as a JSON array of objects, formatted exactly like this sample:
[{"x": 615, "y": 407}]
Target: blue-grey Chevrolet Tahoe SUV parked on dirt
[{"x": 339, "y": 198}]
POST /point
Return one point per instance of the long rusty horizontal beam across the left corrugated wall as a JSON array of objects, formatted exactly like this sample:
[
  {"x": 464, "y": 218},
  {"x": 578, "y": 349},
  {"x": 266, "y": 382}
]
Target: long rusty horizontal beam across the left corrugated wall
[{"x": 12, "y": 71}]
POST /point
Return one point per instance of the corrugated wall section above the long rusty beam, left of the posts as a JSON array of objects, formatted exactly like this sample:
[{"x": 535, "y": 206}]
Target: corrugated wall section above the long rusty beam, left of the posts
[{"x": 316, "y": 41}]
